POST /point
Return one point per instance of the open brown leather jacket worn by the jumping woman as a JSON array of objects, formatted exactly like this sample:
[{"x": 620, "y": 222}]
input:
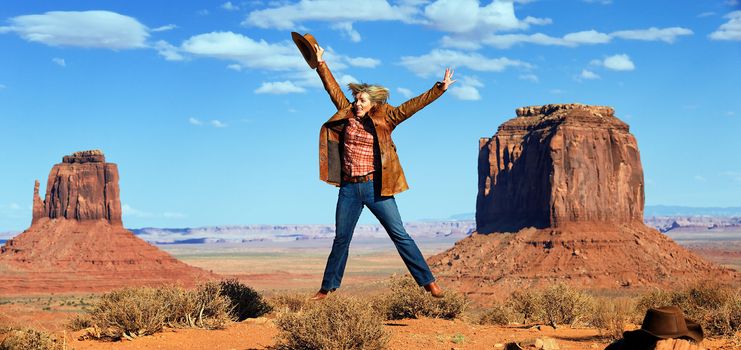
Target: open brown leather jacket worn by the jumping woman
[{"x": 385, "y": 118}]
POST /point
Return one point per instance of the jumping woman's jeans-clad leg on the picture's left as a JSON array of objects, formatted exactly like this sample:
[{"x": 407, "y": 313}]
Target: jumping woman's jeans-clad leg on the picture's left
[{"x": 349, "y": 207}]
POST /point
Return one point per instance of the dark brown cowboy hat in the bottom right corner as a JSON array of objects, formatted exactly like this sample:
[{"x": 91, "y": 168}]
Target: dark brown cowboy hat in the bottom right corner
[{"x": 664, "y": 323}]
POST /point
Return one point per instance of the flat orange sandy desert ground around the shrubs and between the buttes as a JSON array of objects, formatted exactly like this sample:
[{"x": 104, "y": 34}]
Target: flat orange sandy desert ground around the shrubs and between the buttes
[{"x": 297, "y": 266}]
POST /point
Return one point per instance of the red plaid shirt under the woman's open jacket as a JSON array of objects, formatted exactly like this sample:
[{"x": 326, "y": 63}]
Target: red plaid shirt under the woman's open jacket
[{"x": 359, "y": 153}]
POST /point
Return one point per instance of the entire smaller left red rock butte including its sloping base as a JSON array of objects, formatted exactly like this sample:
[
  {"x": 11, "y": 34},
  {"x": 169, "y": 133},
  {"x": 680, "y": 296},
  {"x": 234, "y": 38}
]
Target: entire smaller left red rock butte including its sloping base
[{"x": 77, "y": 242}]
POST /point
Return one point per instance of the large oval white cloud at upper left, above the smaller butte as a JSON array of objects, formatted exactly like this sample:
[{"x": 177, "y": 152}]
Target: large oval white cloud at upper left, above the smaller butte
[{"x": 93, "y": 29}]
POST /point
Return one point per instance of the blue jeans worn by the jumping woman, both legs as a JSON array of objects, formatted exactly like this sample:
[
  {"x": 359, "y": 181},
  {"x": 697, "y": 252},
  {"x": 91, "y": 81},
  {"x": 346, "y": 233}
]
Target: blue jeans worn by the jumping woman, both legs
[{"x": 350, "y": 202}]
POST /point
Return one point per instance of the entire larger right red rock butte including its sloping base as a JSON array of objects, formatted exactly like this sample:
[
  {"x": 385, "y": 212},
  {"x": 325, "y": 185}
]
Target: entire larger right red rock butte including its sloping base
[{"x": 561, "y": 198}]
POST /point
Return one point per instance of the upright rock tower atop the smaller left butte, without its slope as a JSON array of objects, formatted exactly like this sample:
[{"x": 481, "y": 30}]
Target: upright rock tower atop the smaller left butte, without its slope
[{"x": 82, "y": 187}]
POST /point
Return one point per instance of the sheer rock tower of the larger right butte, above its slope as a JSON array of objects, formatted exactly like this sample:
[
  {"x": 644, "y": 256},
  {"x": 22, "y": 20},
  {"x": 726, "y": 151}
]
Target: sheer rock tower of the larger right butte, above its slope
[{"x": 558, "y": 164}]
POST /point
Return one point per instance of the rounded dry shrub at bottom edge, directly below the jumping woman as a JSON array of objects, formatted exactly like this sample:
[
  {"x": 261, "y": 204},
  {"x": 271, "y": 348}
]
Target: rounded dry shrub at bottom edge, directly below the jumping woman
[{"x": 336, "y": 323}]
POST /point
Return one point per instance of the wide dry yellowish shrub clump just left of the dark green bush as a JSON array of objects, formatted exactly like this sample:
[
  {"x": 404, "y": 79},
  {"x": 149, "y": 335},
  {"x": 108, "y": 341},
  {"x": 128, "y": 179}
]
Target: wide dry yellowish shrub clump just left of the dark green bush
[{"x": 134, "y": 312}]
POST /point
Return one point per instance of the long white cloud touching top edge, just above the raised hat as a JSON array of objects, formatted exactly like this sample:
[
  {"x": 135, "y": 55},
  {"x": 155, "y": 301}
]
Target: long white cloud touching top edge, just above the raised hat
[{"x": 290, "y": 16}]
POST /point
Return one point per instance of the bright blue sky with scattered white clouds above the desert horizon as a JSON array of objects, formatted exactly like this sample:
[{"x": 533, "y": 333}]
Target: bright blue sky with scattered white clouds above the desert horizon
[{"x": 213, "y": 117}]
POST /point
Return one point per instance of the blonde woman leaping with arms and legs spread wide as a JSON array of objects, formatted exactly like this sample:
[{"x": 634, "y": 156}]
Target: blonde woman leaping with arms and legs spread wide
[{"x": 357, "y": 154}]
